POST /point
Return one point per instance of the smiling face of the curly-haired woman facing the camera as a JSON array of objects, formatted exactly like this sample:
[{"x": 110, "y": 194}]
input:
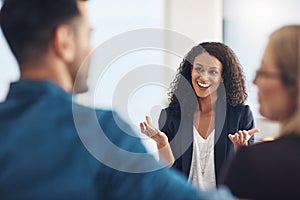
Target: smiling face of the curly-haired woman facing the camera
[{"x": 206, "y": 75}]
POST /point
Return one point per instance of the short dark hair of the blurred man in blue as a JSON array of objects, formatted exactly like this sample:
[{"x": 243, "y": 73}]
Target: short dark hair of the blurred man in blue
[{"x": 29, "y": 25}]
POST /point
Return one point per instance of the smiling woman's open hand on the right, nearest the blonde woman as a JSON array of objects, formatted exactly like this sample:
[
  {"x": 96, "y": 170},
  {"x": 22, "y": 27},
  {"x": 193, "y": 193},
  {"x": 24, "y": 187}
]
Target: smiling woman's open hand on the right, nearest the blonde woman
[{"x": 241, "y": 137}]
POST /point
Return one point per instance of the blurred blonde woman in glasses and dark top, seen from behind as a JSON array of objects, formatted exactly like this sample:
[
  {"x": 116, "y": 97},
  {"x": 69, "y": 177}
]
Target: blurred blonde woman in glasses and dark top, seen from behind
[{"x": 270, "y": 170}]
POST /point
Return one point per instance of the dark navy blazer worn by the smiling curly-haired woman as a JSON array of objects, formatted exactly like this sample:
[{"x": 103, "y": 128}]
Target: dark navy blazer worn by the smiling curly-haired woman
[{"x": 179, "y": 130}]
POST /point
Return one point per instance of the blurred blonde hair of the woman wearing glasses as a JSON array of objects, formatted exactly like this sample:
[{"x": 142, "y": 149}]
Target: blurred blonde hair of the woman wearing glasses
[{"x": 285, "y": 44}]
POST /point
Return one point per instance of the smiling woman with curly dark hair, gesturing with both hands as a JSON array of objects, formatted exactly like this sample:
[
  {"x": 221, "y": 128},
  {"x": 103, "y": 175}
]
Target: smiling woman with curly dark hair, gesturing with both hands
[{"x": 206, "y": 106}]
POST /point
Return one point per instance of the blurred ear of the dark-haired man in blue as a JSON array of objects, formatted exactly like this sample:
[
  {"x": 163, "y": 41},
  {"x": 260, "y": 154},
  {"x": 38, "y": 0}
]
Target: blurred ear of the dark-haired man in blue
[{"x": 64, "y": 42}]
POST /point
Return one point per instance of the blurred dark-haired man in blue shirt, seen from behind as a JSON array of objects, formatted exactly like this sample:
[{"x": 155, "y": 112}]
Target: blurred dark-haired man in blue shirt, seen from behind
[{"x": 41, "y": 154}]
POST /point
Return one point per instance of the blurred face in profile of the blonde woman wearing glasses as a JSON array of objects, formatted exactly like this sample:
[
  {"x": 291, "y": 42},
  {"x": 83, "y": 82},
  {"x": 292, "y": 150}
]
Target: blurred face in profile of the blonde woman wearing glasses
[{"x": 277, "y": 102}]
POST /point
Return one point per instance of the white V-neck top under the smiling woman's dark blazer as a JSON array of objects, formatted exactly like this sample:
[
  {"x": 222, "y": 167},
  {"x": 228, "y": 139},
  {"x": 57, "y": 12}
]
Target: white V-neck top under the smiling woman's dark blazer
[{"x": 202, "y": 172}]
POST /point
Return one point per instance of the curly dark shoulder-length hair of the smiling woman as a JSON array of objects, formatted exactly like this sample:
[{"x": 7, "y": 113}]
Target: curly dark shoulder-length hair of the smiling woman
[{"x": 232, "y": 74}]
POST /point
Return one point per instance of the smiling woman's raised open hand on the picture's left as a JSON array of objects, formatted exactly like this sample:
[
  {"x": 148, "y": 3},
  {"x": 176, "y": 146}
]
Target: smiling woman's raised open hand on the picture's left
[{"x": 148, "y": 129}]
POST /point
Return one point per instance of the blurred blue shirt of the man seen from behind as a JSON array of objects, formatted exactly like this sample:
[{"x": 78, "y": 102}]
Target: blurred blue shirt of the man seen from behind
[{"x": 49, "y": 149}]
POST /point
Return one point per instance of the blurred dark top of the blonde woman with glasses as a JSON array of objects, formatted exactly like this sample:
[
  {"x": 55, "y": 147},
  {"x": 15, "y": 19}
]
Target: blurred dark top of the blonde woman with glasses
[{"x": 270, "y": 169}]
